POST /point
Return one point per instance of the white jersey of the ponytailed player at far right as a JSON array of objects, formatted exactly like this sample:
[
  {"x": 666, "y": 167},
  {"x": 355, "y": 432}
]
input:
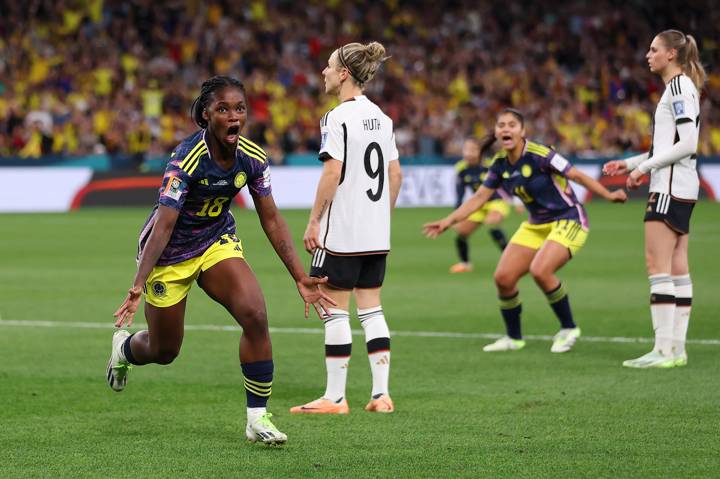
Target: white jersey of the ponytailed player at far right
[{"x": 680, "y": 103}]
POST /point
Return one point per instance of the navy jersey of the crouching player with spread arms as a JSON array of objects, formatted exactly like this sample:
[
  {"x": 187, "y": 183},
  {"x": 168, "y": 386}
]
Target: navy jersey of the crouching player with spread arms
[{"x": 539, "y": 179}]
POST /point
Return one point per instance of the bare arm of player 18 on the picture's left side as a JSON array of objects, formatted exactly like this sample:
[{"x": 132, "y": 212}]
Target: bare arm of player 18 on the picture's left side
[{"x": 165, "y": 220}]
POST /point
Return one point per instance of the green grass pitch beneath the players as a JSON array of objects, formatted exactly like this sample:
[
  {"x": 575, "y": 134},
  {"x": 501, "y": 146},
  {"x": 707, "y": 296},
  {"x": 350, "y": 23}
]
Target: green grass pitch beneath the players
[{"x": 460, "y": 412}]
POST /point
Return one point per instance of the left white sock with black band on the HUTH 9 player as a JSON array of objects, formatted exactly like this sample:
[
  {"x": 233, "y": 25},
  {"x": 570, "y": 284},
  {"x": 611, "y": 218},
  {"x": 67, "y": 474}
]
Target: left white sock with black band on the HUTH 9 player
[{"x": 338, "y": 346}]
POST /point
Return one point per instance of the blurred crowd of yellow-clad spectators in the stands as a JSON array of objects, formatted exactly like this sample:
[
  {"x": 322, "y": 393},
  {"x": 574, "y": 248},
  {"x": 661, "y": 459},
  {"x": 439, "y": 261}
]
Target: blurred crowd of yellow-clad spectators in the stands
[{"x": 118, "y": 76}]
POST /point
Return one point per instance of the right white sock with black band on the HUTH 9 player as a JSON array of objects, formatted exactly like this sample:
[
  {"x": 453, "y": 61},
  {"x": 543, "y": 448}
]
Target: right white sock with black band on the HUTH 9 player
[{"x": 377, "y": 337}]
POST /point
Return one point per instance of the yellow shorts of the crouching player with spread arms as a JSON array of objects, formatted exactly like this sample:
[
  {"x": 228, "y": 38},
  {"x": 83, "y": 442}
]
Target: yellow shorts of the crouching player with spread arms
[{"x": 568, "y": 233}]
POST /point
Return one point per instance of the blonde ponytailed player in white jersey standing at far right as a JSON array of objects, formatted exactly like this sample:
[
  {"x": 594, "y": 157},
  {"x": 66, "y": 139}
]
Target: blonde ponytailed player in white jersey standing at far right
[{"x": 674, "y": 186}]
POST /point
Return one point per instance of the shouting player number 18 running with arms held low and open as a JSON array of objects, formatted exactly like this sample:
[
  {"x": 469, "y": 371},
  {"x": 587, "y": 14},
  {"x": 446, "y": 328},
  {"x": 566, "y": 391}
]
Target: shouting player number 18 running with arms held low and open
[{"x": 190, "y": 236}]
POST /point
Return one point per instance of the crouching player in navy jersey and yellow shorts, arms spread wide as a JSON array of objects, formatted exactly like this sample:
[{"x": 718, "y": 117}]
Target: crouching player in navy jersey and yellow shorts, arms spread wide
[{"x": 555, "y": 232}]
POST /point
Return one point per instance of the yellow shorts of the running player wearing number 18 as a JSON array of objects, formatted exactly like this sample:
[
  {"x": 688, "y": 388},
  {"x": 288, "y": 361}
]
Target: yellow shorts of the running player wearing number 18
[{"x": 168, "y": 285}]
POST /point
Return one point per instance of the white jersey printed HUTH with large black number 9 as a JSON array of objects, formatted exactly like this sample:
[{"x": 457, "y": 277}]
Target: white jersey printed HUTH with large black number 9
[{"x": 360, "y": 135}]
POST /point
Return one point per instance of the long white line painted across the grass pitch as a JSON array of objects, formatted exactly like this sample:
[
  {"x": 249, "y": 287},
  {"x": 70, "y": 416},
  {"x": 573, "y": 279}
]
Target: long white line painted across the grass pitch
[{"x": 356, "y": 332}]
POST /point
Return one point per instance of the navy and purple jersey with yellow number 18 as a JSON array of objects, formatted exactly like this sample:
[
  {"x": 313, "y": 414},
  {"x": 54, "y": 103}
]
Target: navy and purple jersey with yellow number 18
[{"x": 196, "y": 186}]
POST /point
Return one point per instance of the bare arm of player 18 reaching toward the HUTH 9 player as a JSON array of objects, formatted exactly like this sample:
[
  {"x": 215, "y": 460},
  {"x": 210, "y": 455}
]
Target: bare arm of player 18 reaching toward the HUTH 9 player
[{"x": 278, "y": 233}]
